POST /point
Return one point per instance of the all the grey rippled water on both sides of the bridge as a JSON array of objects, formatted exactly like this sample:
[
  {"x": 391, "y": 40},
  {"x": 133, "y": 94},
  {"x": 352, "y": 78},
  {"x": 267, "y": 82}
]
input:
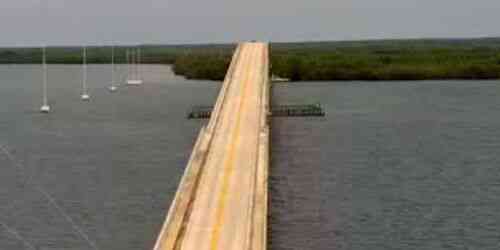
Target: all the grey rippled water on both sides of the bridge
[{"x": 393, "y": 166}]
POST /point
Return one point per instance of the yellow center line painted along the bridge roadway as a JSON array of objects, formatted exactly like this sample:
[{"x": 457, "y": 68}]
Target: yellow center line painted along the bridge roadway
[{"x": 229, "y": 165}]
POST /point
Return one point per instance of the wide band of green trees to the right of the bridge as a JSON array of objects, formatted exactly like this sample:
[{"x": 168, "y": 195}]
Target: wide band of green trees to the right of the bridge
[{"x": 388, "y": 60}]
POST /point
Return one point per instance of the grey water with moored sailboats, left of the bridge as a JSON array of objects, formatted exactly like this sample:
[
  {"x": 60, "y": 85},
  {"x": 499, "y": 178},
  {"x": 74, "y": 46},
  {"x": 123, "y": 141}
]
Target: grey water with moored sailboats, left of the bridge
[{"x": 111, "y": 165}]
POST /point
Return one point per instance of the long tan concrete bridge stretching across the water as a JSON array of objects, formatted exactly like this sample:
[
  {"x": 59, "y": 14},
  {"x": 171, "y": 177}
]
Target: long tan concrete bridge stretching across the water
[{"x": 221, "y": 202}]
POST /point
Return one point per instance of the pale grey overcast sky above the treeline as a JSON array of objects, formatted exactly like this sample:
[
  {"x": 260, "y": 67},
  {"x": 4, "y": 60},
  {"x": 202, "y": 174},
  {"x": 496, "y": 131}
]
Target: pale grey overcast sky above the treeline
[{"x": 103, "y": 22}]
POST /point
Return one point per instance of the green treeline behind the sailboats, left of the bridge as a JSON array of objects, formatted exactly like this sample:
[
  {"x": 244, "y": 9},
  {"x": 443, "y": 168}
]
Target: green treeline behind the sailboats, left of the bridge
[{"x": 192, "y": 61}]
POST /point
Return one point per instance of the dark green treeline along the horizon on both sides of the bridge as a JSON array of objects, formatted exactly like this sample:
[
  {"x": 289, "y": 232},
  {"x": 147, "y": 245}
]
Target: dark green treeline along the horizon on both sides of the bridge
[{"x": 357, "y": 60}]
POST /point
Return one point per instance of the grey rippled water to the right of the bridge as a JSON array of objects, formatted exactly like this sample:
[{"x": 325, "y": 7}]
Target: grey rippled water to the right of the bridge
[{"x": 394, "y": 165}]
